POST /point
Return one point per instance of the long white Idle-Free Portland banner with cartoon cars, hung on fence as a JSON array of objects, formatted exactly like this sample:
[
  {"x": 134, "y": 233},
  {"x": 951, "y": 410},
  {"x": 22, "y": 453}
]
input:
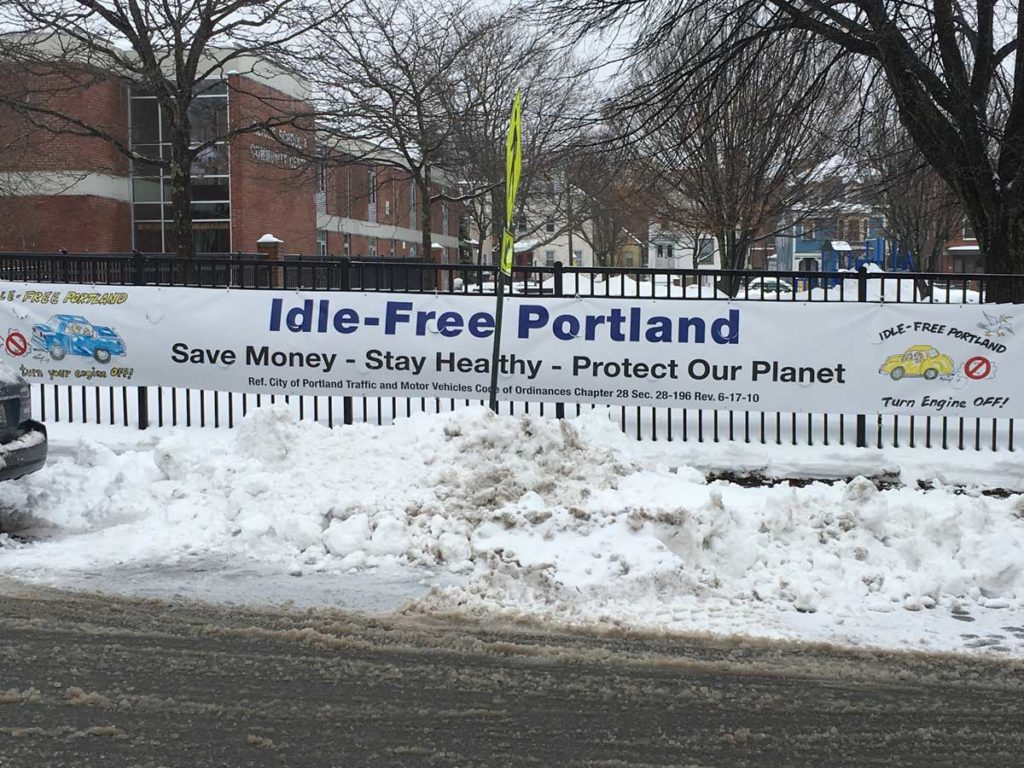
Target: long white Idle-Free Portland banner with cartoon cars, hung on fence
[{"x": 752, "y": 356}]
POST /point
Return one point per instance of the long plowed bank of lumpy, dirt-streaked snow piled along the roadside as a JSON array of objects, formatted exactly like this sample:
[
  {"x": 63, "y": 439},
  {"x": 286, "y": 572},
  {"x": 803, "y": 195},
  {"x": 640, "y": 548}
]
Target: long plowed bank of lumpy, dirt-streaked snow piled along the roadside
[{"x": 568, "y": 520}]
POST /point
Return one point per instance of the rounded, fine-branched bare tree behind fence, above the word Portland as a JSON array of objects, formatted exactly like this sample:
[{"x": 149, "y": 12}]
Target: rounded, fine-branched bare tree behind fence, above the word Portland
[{"x": 750, "y": 144}]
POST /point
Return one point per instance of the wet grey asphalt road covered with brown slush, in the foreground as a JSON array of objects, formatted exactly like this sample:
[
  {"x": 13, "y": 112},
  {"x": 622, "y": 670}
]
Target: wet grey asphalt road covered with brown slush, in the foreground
[{"x": 101, "y": 681}]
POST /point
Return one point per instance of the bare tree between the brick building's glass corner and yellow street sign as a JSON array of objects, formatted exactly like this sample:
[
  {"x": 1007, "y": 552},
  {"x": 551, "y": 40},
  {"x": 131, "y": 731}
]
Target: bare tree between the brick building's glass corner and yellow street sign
[{"x": 382, "y": 77}]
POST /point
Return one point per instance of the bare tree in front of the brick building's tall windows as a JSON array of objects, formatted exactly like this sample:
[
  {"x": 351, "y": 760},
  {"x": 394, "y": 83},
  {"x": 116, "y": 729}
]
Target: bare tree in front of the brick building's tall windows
[{"x": 170, "y": 51}]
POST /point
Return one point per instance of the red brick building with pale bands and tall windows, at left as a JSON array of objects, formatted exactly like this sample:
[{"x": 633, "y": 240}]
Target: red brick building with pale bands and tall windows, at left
[{"x": 62, "y": 191}]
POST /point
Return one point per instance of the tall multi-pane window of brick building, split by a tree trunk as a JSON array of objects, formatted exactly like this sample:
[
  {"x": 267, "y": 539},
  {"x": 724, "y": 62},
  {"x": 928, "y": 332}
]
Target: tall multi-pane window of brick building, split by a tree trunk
[{"x": 211, "y": 208}]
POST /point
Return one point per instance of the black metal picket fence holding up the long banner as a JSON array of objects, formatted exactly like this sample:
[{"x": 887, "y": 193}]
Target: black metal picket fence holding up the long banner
[{"x": 164, "y": 406}]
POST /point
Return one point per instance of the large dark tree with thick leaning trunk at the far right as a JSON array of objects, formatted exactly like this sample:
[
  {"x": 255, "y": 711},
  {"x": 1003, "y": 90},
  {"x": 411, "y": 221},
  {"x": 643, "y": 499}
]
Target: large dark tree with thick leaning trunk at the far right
[{"x": 954, "y": 70}]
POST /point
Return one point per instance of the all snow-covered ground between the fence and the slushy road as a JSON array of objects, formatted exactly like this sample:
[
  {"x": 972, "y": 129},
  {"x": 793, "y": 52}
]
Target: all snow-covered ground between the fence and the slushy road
[{"x": 473, "y": 515}]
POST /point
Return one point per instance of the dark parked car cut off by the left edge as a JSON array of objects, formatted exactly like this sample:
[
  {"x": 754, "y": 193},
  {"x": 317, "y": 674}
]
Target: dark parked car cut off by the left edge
[{"x": 23, "y": 442}]
